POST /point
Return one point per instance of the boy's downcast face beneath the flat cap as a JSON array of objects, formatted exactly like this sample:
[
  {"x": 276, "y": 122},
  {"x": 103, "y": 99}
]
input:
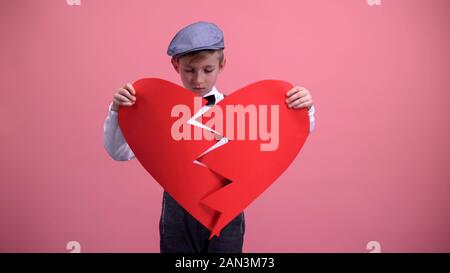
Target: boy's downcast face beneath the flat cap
[{"x": 199, "y": 72}]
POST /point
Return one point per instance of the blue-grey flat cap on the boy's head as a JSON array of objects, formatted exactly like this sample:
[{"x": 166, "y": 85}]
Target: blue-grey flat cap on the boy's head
[{"x": 195, "y": 37}]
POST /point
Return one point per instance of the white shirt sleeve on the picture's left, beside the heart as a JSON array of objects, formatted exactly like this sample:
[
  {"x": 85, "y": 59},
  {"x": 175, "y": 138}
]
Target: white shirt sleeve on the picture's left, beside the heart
[{"x": 113, "y": 140}]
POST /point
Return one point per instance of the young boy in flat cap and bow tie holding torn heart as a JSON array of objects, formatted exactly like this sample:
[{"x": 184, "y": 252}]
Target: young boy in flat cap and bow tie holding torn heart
[{"x": 197, "y": 56}]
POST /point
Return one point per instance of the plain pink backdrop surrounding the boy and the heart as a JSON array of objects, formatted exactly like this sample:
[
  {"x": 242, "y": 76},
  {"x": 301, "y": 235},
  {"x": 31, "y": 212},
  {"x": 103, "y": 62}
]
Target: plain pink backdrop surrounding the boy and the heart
[{"x": 374, "y": 169}]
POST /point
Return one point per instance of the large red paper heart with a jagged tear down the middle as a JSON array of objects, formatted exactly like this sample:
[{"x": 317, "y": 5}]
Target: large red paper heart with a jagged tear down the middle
[{"x": 147, "y": 128}]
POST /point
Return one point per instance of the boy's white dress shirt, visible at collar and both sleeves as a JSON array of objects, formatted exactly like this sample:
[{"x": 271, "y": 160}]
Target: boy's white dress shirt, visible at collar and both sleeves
[{"x": 117, "y": 147}]
